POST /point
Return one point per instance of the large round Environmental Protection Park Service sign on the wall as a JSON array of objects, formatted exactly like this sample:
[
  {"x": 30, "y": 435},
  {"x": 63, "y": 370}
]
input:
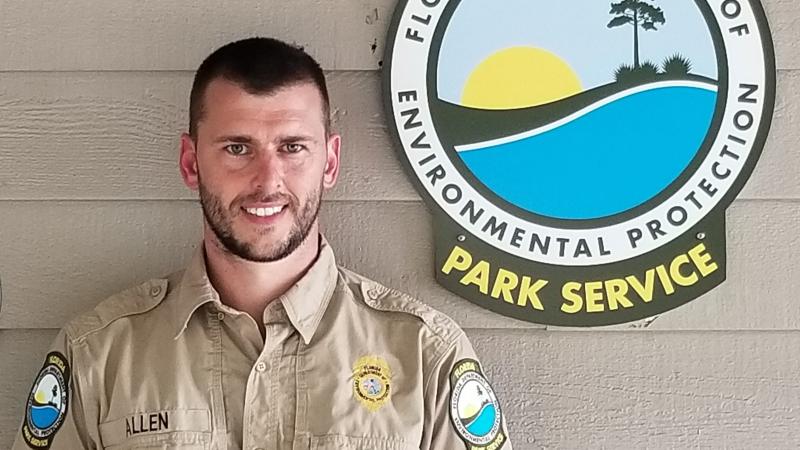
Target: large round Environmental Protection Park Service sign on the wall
[{"x": 579, "y": 156}]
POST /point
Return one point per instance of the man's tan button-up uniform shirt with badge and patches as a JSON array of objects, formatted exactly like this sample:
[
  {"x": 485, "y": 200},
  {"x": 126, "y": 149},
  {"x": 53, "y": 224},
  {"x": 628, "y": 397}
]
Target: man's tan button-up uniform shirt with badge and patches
[{"x": 346, "y": 364}]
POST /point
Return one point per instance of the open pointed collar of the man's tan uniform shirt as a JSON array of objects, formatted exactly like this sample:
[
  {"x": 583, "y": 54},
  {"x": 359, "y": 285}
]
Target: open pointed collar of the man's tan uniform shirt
[{"x": 305, "y": 302}]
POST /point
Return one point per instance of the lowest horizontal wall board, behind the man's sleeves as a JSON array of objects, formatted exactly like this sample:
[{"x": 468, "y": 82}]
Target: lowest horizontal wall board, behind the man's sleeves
[{"x": 587, "y": 390}]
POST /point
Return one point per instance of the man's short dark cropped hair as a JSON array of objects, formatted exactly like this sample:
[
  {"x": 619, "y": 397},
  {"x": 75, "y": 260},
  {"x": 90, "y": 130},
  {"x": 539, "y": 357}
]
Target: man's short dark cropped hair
[{"x": 260, "y": 66}]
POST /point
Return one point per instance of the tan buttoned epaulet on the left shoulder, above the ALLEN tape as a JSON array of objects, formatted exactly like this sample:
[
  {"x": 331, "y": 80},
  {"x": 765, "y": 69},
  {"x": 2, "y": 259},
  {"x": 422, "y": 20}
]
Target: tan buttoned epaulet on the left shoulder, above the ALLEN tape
[{"x": 132, "y": 301}]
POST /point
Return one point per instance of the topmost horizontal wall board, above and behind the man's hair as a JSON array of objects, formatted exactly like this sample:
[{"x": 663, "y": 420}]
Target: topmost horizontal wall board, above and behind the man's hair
[{"x": 177, "y": 35}]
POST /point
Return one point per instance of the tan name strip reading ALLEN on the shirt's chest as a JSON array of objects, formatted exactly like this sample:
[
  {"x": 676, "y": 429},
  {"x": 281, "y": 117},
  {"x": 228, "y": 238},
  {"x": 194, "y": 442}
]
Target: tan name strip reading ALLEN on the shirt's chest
[{"x": 150, "y": 423}]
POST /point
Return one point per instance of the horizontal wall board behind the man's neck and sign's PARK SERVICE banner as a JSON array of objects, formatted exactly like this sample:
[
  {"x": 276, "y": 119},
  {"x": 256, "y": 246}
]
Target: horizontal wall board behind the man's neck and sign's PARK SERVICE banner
[{"x": 59, "y": 258}]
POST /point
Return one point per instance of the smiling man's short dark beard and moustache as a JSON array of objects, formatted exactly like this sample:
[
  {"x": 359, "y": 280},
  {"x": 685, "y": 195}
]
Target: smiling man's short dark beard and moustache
[{"x": 220, "y": 220}]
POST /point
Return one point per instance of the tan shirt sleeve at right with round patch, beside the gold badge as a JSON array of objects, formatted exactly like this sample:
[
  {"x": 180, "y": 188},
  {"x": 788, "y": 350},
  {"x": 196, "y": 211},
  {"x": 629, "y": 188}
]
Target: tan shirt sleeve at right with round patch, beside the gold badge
[{"x": 461, "y": 408}]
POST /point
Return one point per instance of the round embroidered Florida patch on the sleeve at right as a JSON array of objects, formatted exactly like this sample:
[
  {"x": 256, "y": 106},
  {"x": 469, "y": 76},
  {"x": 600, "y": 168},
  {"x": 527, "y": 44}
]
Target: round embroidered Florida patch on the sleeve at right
[{"x": 474, "y": 409}]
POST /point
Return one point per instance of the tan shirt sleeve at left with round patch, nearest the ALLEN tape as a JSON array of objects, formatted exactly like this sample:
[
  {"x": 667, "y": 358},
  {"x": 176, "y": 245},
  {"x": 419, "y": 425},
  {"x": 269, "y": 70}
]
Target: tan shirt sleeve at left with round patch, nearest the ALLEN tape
[{"x": 54, "y": 414}]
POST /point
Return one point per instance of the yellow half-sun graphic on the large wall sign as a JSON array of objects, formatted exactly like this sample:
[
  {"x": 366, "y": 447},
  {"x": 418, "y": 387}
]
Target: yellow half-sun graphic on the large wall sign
[{"x": 519, "y": 77}]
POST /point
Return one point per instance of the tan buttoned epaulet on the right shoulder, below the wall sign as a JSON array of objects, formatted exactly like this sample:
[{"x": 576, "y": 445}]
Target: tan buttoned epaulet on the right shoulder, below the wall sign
[{"x": 382, "y": 298}]
